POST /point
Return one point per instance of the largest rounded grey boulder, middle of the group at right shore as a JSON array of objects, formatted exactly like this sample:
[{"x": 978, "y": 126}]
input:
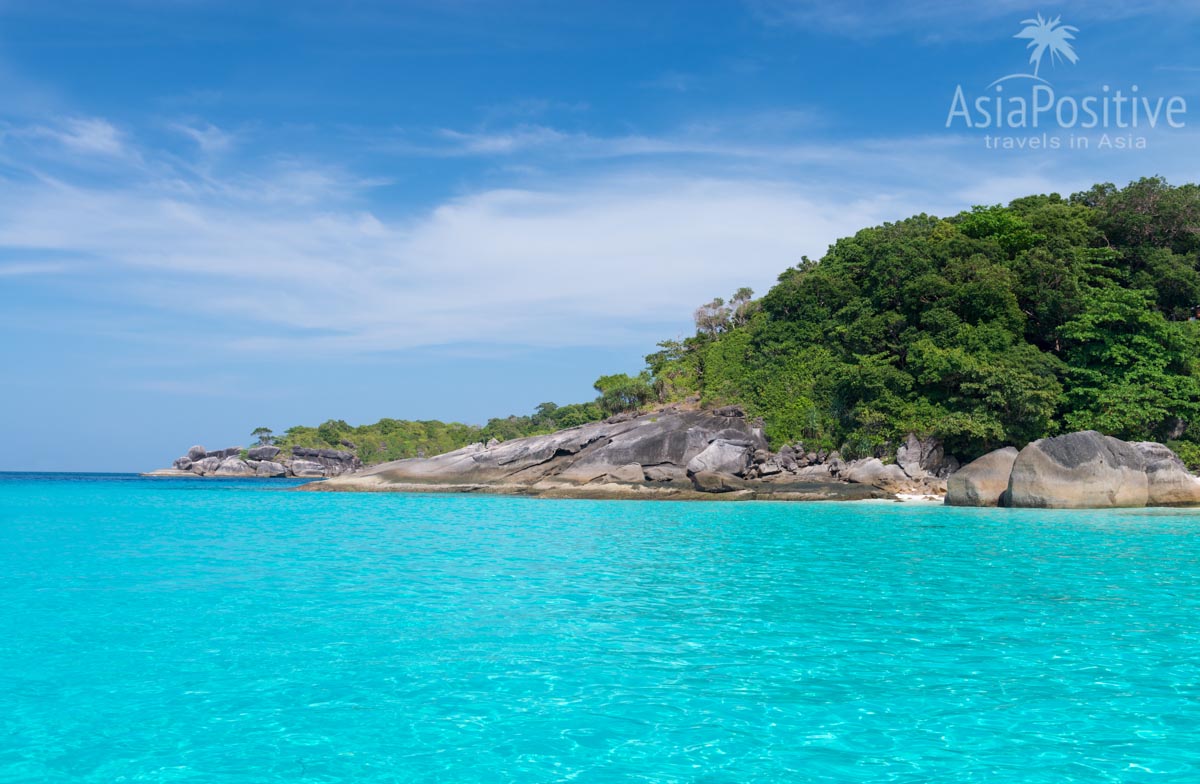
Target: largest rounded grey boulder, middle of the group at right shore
[{"x": 1079, "y": 471}]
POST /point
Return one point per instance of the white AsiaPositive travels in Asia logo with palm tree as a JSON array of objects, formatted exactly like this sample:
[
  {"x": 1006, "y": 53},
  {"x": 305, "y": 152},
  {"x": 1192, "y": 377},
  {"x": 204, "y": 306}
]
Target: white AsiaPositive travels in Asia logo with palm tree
[{"x": 1113, "y": 118}]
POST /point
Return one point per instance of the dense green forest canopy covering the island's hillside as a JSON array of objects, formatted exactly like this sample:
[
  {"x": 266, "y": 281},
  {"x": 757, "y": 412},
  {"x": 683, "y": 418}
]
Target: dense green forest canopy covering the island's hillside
[{"x": 999, "y": 326}]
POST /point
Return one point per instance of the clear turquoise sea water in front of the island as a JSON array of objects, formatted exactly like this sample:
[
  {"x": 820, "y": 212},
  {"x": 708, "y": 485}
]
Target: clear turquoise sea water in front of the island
[{"x": 173, "y": 631}]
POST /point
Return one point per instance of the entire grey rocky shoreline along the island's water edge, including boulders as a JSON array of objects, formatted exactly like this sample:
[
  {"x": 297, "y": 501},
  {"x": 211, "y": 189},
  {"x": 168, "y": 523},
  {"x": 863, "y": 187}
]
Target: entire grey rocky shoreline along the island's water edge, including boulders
[{"x": 722, "y": 454}]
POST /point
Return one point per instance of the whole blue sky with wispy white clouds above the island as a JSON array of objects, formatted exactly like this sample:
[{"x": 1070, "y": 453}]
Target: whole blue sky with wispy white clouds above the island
[{"x": 217, "y": 217}]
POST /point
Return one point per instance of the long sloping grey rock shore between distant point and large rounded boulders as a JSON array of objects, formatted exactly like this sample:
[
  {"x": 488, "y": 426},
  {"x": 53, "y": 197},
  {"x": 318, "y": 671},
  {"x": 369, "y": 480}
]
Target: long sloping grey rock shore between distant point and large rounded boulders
[{"x": 670, "y": 453}]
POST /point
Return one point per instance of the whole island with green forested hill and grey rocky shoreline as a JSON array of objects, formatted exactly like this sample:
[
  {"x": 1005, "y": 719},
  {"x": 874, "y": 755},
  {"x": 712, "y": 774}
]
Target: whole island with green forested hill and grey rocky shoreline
[{"x": 1041, "y": 354}]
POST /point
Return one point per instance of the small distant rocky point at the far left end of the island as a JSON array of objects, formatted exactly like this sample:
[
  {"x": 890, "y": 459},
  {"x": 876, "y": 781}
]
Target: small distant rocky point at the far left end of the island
[{"x": 263, "y": 462}]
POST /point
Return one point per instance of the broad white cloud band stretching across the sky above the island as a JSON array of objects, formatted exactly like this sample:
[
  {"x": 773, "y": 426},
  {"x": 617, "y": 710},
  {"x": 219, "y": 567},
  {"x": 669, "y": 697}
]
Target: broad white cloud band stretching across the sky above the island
[{"x": 295, "y": 255}]
